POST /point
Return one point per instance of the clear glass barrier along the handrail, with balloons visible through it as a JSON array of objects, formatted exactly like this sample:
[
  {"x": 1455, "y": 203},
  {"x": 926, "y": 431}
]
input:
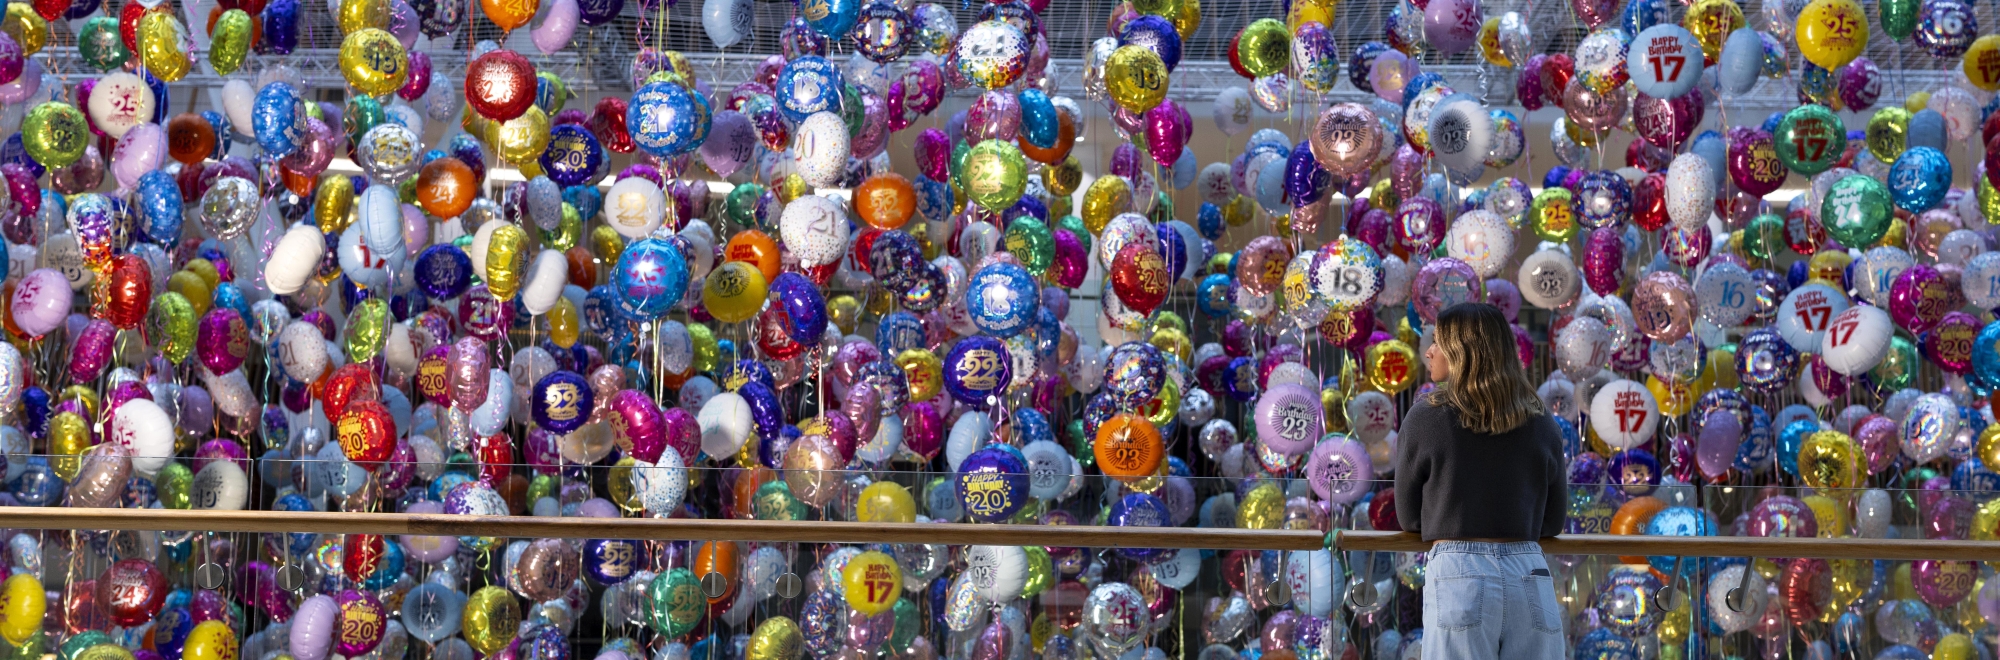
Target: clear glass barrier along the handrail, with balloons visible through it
[{"x": 317, "y": 595}]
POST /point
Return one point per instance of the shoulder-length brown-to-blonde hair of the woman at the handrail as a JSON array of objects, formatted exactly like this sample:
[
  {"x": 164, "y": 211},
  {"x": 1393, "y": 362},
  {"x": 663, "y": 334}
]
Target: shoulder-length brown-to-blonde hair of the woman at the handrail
[{"x": 1487, "y": 383}]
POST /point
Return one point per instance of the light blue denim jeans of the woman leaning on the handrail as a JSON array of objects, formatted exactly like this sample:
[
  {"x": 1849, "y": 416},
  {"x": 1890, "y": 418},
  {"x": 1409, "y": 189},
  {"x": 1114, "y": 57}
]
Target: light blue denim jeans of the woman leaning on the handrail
[{"x": 1491, "y": 603}]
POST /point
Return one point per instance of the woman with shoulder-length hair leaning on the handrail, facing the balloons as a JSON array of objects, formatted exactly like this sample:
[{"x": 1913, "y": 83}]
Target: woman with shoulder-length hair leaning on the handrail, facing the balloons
[{"x": 1481, "y": 473}]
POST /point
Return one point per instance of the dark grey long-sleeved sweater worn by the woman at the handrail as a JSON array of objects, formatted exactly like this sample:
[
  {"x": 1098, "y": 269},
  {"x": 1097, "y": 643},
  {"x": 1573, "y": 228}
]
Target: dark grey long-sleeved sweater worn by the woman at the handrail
[{"x": 1453, "y": 483}]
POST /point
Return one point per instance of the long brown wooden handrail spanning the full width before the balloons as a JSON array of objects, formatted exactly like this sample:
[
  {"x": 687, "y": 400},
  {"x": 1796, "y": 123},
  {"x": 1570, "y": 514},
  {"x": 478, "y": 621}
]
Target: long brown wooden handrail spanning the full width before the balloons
[{"x": 959, "y": 535}]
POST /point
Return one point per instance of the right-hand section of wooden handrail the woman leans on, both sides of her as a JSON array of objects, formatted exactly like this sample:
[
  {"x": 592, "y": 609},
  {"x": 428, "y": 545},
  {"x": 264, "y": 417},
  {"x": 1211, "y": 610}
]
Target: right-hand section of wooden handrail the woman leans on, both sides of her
[{"x": 1827, "y": 549}]
